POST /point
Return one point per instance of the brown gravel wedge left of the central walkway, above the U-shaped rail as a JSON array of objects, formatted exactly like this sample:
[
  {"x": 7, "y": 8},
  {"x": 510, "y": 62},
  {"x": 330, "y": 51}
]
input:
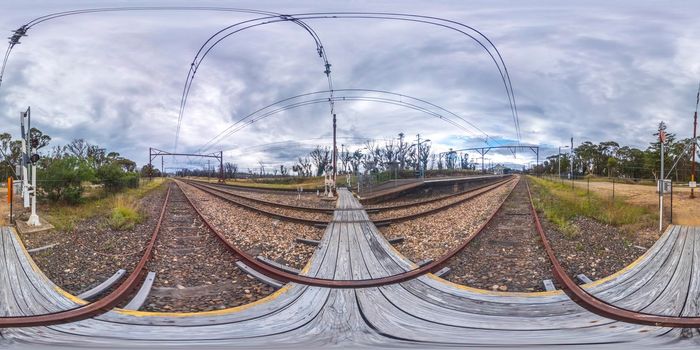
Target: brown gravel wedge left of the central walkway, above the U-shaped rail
[{"x": 256, "y": 233}]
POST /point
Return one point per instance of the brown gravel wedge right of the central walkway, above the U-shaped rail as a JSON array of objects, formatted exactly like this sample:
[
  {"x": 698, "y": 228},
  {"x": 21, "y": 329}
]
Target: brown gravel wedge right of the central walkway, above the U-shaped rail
[{"x": 433, "y": 235}]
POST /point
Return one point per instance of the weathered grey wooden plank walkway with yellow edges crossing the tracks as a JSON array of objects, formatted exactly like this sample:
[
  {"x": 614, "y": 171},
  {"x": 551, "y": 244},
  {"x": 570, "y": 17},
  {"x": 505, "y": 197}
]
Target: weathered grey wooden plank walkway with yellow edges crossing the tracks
[{"x": 425, "y": 312}]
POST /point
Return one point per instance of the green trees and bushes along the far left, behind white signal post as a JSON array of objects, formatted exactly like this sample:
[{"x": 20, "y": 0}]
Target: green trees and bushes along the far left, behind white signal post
[{"x": 63, "y": 169}]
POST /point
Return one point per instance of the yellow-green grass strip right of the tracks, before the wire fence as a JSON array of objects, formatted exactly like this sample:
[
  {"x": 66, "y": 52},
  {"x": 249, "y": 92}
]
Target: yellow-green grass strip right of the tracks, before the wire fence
[{"x": 560, "y": 205}]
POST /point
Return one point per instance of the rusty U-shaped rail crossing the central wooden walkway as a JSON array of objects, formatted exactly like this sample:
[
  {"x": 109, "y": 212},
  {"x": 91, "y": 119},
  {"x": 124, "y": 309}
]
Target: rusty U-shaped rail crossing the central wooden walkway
[{"x": 287, "y": 277}]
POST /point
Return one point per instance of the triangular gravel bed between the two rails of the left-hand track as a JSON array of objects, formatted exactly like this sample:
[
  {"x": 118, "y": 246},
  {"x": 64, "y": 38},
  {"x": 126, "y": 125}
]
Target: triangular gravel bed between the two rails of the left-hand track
[{"x": 194, "y": 270}]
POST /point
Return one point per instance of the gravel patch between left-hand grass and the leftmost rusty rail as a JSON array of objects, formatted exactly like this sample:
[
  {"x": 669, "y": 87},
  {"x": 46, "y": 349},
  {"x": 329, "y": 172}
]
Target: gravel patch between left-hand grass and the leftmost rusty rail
[{"x": 92, "y": 251}]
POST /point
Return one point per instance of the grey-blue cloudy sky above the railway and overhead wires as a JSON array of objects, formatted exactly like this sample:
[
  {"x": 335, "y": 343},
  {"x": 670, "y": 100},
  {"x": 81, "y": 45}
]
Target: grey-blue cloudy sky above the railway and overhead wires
[{"x": 590, "y": 70}]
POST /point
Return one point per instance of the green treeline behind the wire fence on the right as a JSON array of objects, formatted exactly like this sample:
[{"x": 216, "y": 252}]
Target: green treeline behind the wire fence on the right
[{"x": 610, "y": 159}]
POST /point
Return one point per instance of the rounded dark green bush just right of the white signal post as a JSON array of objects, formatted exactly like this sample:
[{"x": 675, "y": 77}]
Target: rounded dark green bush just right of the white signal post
[{"x": 61, "y": 179}]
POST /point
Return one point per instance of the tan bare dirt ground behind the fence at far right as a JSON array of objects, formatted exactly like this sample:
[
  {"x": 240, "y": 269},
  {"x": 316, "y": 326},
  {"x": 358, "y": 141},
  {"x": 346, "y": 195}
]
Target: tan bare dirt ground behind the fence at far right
[{"x": 686, "y": 211}]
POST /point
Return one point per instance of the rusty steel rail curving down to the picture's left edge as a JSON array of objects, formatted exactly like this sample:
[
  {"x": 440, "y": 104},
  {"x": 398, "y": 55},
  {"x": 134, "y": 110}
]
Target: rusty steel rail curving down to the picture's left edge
[{"x": 100, "y": 306}]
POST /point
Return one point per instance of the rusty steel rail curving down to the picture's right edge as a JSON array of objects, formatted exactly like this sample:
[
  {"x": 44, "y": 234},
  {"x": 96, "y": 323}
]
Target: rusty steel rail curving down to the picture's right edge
[{"x": 597, "y": 306}]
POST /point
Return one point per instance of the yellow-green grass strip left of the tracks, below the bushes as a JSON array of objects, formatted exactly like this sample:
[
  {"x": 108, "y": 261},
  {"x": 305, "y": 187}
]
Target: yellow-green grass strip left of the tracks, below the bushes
[{"x": 117, "y": 208}]
